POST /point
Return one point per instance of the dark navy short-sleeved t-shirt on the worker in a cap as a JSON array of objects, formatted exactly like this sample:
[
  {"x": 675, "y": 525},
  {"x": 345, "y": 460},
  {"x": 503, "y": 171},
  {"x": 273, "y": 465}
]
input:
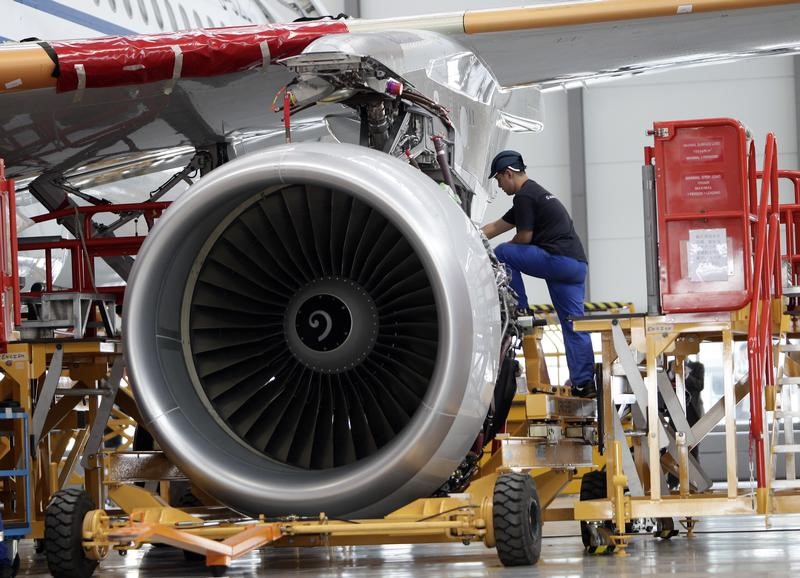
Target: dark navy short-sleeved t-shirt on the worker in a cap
[{"x": 539, "y": 211}]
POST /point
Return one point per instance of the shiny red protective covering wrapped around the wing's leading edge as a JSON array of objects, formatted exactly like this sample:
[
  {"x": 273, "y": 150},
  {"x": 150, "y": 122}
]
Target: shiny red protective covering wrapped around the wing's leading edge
[{"x": 122, "y": 60}]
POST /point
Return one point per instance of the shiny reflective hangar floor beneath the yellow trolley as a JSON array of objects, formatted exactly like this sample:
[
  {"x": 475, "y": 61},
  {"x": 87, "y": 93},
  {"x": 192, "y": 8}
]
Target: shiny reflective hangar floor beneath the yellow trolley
[{"x": 731, "y": 547}]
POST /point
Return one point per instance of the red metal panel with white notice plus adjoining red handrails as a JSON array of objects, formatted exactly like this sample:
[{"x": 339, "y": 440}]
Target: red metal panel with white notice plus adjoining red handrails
[{"x": 719, "y": 238}]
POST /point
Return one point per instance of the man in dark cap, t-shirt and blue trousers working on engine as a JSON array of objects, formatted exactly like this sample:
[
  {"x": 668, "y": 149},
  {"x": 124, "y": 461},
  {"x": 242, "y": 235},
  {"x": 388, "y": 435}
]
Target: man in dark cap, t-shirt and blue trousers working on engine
[{"x": 546, "y": 246}]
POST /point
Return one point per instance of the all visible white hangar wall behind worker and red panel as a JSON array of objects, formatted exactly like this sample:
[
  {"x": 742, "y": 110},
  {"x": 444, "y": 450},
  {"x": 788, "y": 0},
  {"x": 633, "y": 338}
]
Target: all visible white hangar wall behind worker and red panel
[{"x": 760, "y": 93}]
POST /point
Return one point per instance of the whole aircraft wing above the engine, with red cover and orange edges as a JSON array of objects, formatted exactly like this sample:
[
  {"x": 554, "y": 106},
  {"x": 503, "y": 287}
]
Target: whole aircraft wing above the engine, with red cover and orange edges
[{"x": 65, "y": 103}]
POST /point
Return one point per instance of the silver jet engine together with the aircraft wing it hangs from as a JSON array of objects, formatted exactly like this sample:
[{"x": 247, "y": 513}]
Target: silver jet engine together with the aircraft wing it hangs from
[{"x": 316, "y": 324}]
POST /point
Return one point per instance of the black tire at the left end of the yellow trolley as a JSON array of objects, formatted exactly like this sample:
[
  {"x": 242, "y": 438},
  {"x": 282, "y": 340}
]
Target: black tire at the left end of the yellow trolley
[{"x": 63, "y": 534}]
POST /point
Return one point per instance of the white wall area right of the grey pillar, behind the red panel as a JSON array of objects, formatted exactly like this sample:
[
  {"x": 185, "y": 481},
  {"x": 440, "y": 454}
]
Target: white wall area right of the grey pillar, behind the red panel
[{"x": 760, "y": 93}]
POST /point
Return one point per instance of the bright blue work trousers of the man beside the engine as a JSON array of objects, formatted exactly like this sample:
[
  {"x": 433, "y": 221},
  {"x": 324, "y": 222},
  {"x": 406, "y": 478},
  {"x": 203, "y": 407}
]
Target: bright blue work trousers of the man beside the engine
[{"x": 566, "y": 279}]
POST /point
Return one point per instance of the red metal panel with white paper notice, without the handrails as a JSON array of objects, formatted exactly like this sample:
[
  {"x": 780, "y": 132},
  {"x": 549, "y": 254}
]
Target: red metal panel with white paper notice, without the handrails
[{"x": 701, "y": 188}]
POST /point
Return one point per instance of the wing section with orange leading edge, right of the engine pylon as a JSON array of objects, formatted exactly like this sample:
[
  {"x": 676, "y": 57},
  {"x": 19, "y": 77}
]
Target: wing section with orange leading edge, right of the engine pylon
[{"x": 559, "y": 44}]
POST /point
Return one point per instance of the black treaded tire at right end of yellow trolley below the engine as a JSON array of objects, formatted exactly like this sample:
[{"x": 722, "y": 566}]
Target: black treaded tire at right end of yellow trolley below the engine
[{"x": 517, "y": 518}]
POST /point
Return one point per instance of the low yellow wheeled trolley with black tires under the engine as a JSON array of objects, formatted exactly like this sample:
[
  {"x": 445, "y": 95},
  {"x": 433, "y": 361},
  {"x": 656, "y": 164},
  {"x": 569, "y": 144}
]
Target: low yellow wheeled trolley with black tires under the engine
[{"x": 550, "y": 434}]
